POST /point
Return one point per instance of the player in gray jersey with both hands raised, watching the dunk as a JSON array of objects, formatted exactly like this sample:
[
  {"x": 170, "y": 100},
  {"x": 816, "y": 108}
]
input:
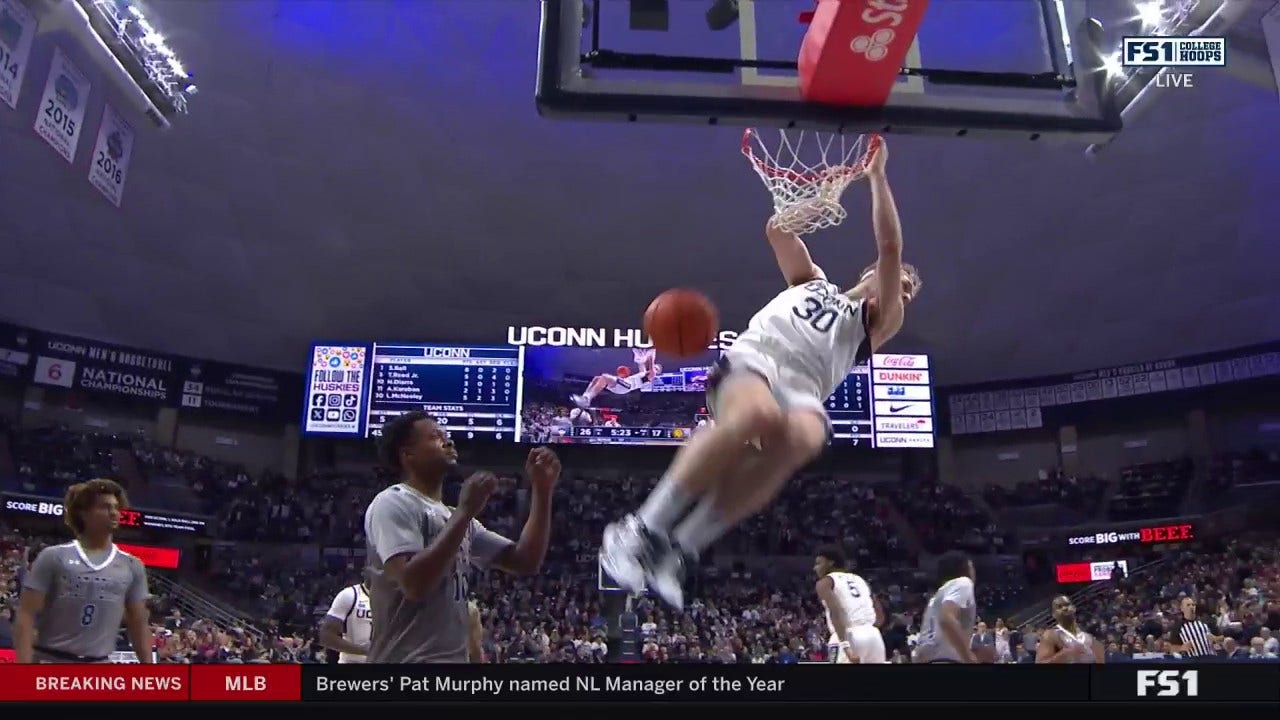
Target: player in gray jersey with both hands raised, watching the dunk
[{"x": 420, "y": 552}]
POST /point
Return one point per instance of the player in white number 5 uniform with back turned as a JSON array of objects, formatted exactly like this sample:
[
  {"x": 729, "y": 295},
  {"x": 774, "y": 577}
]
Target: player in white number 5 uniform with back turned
[{"x": 853, "y": 614}]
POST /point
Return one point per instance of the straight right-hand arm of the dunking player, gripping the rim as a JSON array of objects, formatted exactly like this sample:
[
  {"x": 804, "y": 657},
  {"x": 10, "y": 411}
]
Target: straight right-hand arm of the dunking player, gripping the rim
[{"x": 889, "y": 249}]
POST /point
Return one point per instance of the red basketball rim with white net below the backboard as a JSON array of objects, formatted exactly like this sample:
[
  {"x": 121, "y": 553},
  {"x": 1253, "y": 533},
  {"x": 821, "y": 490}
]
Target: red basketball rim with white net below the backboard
[{"x": 807, "y": 172}]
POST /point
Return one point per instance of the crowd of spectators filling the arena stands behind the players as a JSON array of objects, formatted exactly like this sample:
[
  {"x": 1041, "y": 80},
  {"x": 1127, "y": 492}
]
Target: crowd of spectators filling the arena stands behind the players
[{"x": 738, "y": 616}]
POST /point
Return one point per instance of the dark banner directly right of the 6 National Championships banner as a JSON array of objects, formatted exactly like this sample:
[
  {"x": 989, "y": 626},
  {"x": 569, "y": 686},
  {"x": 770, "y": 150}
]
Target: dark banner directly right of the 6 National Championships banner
[{"x": 235, "y": 390}]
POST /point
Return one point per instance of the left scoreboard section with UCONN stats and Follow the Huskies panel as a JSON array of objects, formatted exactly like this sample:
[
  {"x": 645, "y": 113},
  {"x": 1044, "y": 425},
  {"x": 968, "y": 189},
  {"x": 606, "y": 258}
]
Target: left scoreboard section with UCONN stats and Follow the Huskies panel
[{"x": 355, "y": 390}]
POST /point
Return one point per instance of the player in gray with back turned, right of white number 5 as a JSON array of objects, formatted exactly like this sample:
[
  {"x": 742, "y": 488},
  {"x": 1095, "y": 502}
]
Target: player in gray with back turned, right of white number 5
[{"x": 948, "y": 623}]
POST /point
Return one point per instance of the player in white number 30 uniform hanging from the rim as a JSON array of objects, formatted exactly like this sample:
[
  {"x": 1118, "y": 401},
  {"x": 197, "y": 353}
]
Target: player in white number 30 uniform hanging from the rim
[{"x": 769, "y": 391}]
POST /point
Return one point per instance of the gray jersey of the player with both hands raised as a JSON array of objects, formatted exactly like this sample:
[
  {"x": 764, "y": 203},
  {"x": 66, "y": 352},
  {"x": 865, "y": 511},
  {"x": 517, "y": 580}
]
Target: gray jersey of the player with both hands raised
[{"x": 436, "y": 630}]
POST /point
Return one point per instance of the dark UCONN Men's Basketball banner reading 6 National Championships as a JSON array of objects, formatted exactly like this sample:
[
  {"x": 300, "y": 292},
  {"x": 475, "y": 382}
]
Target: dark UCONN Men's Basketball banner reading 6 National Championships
[{"x": 106, "y": 370}]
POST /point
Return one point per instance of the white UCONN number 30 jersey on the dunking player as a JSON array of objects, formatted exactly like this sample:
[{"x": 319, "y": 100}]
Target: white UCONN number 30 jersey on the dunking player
[{"x": 825, "y": 331}]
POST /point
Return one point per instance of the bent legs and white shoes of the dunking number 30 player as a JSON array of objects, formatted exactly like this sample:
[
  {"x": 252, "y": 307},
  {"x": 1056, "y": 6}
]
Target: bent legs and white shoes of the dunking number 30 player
[{"x": 732, "y": 470}]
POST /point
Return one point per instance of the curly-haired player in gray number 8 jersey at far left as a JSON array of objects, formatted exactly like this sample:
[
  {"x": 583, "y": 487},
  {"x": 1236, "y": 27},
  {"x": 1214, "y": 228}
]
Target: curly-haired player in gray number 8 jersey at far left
[{"x": 76, "y": 595}]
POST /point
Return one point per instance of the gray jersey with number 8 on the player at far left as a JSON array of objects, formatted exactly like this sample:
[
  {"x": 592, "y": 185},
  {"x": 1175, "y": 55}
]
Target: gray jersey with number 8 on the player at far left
[{"x": 85, "y": 599}]
